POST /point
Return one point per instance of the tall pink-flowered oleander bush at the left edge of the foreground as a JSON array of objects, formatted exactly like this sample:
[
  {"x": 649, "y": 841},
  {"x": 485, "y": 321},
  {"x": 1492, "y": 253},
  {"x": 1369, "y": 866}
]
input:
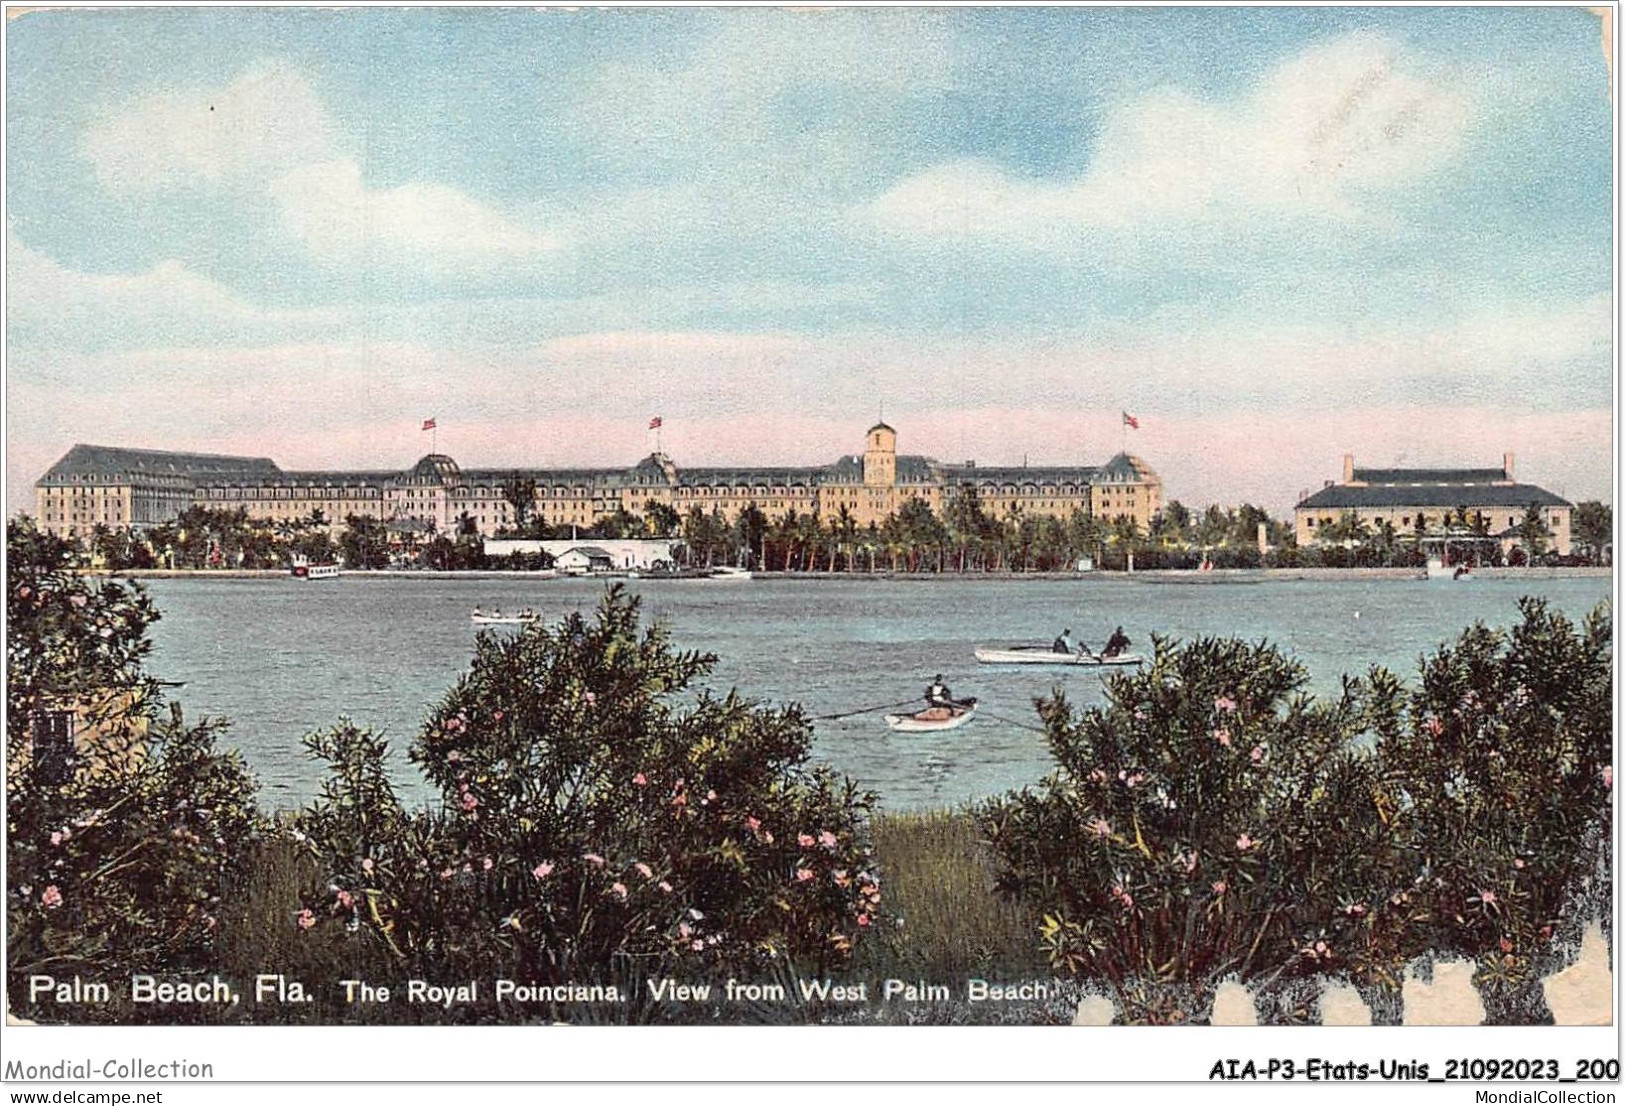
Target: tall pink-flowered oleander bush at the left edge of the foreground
[{"x": 123, "y": 819}]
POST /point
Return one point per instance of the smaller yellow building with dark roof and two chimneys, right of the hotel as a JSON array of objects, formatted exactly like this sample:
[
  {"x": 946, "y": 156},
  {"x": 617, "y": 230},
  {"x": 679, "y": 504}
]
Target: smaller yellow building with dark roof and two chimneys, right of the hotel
[{"x": 1431, "y": 501}]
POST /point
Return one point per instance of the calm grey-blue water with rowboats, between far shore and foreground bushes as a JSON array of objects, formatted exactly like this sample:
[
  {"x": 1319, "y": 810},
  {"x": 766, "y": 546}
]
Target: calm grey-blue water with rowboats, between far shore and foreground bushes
[{"x": 284, "y": 657}]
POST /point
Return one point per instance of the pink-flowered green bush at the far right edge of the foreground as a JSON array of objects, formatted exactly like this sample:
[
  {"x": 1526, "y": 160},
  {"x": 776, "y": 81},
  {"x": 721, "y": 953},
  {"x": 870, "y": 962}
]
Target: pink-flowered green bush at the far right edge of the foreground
[{"x": 1502, "y": 775}]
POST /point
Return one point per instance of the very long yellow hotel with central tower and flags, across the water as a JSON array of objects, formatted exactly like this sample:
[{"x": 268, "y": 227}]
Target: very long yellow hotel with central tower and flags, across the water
[{"x": 119, "y": 488}]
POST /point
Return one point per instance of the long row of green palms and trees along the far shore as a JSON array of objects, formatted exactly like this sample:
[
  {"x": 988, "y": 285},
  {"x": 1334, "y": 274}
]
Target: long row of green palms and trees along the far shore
[{"x": 964, "y": 538}]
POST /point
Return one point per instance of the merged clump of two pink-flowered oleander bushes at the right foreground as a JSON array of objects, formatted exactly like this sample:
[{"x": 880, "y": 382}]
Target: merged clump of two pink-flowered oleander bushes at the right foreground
[{"x": 1213, "y": 821}]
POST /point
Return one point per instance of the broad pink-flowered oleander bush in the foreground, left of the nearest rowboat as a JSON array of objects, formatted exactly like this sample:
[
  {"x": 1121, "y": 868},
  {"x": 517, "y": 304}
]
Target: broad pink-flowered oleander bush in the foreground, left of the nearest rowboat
[{"x": 602, "y": 816}]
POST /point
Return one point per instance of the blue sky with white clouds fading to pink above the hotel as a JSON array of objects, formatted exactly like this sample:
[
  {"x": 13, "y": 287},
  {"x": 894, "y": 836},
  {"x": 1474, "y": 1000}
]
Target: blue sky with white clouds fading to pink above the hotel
[{"x": 1273, "y": 236}]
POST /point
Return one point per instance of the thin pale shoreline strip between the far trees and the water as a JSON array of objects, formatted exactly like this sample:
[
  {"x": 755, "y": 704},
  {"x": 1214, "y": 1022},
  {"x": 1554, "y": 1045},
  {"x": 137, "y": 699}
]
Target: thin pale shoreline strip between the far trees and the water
[{"x": 1145, "y": 576}]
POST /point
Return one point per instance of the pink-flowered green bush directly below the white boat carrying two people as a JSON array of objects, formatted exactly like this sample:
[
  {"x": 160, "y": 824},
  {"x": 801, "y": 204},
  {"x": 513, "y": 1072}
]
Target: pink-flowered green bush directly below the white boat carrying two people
[{"x": 1208, "y": 821}]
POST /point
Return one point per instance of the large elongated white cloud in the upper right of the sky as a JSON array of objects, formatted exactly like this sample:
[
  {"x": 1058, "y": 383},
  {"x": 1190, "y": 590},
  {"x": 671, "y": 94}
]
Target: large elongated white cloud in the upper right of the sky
[{"x": 1317, "y": 137}]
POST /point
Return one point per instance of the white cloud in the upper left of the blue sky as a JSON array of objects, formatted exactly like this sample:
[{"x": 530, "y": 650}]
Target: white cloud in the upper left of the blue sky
[{"x": 269, "y": 134}]
